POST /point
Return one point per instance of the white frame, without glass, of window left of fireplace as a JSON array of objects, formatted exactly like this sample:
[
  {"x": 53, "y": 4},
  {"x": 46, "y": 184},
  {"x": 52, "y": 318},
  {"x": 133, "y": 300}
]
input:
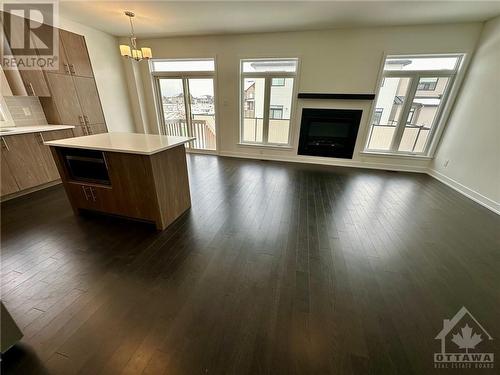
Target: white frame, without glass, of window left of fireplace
[{"x": 268, "y": 76}]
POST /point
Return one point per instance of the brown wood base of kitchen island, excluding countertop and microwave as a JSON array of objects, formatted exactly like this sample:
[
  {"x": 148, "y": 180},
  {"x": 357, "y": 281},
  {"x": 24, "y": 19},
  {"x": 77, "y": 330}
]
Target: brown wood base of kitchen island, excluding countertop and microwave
[{"x": 152, "y": 188}]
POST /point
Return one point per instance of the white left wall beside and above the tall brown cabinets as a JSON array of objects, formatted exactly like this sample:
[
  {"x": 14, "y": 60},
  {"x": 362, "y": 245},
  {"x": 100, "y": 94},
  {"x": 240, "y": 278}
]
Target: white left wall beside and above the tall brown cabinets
[{"x": 109, "y": 75}]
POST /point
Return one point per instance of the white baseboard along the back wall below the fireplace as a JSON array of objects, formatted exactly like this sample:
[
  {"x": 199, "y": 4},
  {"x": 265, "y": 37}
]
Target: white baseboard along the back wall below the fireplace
[{"x": 328, "y": 161}]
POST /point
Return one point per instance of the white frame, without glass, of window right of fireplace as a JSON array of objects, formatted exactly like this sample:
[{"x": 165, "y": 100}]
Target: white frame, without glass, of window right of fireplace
[{"x": 455, "y": 77}]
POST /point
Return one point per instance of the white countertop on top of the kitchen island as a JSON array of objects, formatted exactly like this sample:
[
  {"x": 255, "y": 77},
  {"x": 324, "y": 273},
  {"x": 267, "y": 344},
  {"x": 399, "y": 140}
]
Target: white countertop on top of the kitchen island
[{"x": 130, "y": 143}]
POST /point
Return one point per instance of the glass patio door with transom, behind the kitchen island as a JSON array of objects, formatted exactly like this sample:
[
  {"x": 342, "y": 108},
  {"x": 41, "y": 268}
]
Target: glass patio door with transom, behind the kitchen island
[{"x": 185, "y": 98}]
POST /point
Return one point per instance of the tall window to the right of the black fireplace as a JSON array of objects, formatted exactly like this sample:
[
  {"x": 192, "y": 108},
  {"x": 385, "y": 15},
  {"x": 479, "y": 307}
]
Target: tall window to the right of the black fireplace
[{"x": 410, "y": 100}]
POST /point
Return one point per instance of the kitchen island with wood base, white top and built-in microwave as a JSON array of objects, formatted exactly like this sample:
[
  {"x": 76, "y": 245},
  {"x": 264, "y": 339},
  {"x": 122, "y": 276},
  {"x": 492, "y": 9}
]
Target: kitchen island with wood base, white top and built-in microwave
[{"x": 139, "y": 176}]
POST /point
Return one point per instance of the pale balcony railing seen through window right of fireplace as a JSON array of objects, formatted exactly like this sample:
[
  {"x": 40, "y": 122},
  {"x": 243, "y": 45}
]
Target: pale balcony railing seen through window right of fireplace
[{"x": 413, "y": 140}]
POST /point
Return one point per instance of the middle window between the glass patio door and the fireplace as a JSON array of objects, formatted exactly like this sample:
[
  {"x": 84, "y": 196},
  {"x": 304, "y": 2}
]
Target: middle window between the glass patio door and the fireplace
[{"x": 267, "y": 90}]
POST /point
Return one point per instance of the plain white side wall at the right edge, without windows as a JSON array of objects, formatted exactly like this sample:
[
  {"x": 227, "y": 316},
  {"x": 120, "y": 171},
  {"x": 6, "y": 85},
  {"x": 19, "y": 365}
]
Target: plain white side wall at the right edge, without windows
[{"x": 471, "y": 142}]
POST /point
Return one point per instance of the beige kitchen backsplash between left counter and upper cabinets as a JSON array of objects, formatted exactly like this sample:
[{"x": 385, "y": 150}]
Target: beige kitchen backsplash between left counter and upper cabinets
[{"x": 25, "y": 110}]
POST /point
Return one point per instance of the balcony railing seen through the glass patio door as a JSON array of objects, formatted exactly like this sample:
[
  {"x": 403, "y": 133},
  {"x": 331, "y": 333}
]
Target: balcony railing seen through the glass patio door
[{"x": 202, "y": 130}]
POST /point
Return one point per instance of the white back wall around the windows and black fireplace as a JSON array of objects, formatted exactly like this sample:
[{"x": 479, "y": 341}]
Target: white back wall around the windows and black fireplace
[{"x": 331, "y": 61}]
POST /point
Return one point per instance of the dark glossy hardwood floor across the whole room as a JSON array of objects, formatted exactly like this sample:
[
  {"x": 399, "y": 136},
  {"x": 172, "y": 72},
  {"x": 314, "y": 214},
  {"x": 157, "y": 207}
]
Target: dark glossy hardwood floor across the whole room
[{"x": 277, "y": 269}]
